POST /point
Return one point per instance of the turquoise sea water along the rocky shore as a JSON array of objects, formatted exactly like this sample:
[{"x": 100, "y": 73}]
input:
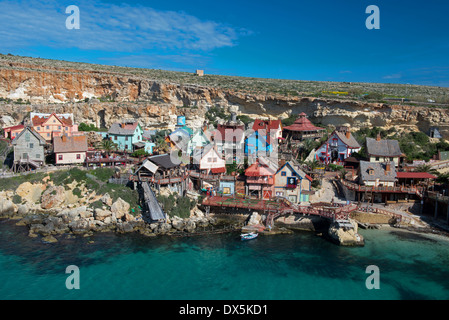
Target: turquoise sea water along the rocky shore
[{"x": 221, "y": 267}]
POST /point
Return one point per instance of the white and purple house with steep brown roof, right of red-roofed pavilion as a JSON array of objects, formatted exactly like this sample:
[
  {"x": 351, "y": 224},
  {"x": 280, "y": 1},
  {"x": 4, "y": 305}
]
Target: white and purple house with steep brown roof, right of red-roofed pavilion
[{"x": 340, "y": 145}]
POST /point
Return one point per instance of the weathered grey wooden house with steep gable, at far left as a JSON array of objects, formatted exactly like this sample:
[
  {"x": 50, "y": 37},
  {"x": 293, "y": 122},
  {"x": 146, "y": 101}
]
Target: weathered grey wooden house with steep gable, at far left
[{"x": 29, "y": 150}]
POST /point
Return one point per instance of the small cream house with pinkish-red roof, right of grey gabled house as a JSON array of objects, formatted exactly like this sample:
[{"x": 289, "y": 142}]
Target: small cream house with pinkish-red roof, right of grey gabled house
[{"x": 70, "y": 150}]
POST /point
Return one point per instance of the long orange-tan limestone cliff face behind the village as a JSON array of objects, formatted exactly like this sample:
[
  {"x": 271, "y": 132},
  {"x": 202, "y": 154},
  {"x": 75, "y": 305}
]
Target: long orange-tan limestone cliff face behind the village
[{"x": 156, "y": 103}]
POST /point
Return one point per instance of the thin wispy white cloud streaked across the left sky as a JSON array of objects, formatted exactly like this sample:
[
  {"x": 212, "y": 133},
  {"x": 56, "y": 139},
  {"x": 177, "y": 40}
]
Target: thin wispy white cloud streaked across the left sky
[{"x": 109, "y": 27}]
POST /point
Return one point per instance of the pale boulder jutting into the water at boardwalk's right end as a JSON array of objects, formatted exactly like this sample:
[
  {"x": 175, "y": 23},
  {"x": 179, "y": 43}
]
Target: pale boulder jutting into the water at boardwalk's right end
[{"x": 345, "y": 233}]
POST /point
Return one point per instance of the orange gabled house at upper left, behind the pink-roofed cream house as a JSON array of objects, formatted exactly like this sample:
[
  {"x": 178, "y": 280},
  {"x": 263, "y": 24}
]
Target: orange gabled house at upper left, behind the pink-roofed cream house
[{"x": 53, "y": 125}]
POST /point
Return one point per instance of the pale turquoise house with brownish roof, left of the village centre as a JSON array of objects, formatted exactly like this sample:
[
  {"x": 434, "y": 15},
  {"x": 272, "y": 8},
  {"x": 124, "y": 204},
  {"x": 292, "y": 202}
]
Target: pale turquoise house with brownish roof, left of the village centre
[{"x": 125, "y": 135}]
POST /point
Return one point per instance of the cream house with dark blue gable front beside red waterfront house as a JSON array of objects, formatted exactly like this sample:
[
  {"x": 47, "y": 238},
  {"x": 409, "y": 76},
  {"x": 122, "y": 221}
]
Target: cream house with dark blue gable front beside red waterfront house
[{"x": 292, "y": 183}]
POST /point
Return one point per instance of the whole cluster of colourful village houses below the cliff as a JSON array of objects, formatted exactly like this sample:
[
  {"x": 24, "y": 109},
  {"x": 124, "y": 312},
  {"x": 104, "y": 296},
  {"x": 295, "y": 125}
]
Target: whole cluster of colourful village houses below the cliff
[{"x": 223, "y": 160}]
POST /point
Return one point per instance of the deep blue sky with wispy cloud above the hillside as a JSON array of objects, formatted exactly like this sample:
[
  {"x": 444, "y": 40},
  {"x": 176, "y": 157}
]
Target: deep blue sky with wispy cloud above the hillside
[{"x": 322, "y": 40}]
